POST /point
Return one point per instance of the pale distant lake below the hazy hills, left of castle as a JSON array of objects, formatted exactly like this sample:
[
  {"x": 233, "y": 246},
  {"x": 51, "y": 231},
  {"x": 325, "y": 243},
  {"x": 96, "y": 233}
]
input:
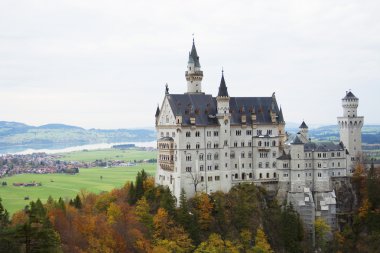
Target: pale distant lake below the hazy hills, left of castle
[{"x": 61, "y": 148}]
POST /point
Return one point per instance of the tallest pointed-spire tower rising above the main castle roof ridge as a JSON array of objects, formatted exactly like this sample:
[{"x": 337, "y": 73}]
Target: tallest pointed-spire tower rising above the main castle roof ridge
[{"x": 194, "y": 74}]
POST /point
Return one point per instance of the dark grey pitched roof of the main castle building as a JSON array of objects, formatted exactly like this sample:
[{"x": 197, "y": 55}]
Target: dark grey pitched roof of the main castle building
[{"x": 203, "y": 108}]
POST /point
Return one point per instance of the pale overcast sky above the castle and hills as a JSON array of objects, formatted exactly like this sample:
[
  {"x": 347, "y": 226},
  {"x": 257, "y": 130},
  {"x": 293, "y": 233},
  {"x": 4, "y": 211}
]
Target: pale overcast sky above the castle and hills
[{"x": 104, "y": 64}]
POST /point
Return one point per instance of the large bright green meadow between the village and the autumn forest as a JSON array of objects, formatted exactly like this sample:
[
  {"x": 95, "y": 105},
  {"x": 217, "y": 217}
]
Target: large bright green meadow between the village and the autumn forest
[{"x": 67, "y": 186}]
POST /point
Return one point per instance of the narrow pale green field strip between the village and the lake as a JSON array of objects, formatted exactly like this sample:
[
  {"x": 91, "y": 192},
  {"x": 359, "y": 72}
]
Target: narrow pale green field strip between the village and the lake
[{"x": 108, "y": 154}]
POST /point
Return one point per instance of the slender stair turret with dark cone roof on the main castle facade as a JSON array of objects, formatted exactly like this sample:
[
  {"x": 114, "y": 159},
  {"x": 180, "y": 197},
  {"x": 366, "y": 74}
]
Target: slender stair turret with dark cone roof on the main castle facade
[{"x": 223, "y": 115}]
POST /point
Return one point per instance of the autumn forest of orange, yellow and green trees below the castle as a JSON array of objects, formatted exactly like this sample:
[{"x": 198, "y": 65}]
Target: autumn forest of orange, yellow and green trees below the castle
[{"x": 141, "y": 217}]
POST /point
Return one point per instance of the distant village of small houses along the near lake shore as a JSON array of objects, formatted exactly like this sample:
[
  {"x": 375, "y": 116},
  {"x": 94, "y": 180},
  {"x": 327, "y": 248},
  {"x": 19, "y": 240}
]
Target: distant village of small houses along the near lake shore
[{"x": 42, "y": 163}]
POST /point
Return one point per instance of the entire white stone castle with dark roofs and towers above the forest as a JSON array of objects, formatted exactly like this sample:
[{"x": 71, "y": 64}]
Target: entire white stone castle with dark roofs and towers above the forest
[{"x": 210, "y": 144}]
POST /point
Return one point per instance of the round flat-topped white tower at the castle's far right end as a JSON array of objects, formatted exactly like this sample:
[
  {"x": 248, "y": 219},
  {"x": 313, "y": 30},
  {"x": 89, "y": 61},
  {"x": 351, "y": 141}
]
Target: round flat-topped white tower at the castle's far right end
[{"x": 350, "y": 125}]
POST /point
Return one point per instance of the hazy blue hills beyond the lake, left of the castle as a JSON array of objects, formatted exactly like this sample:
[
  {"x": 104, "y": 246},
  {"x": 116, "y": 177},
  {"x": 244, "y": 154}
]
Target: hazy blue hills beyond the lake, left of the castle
[{"x": 14, "y": 134}]
